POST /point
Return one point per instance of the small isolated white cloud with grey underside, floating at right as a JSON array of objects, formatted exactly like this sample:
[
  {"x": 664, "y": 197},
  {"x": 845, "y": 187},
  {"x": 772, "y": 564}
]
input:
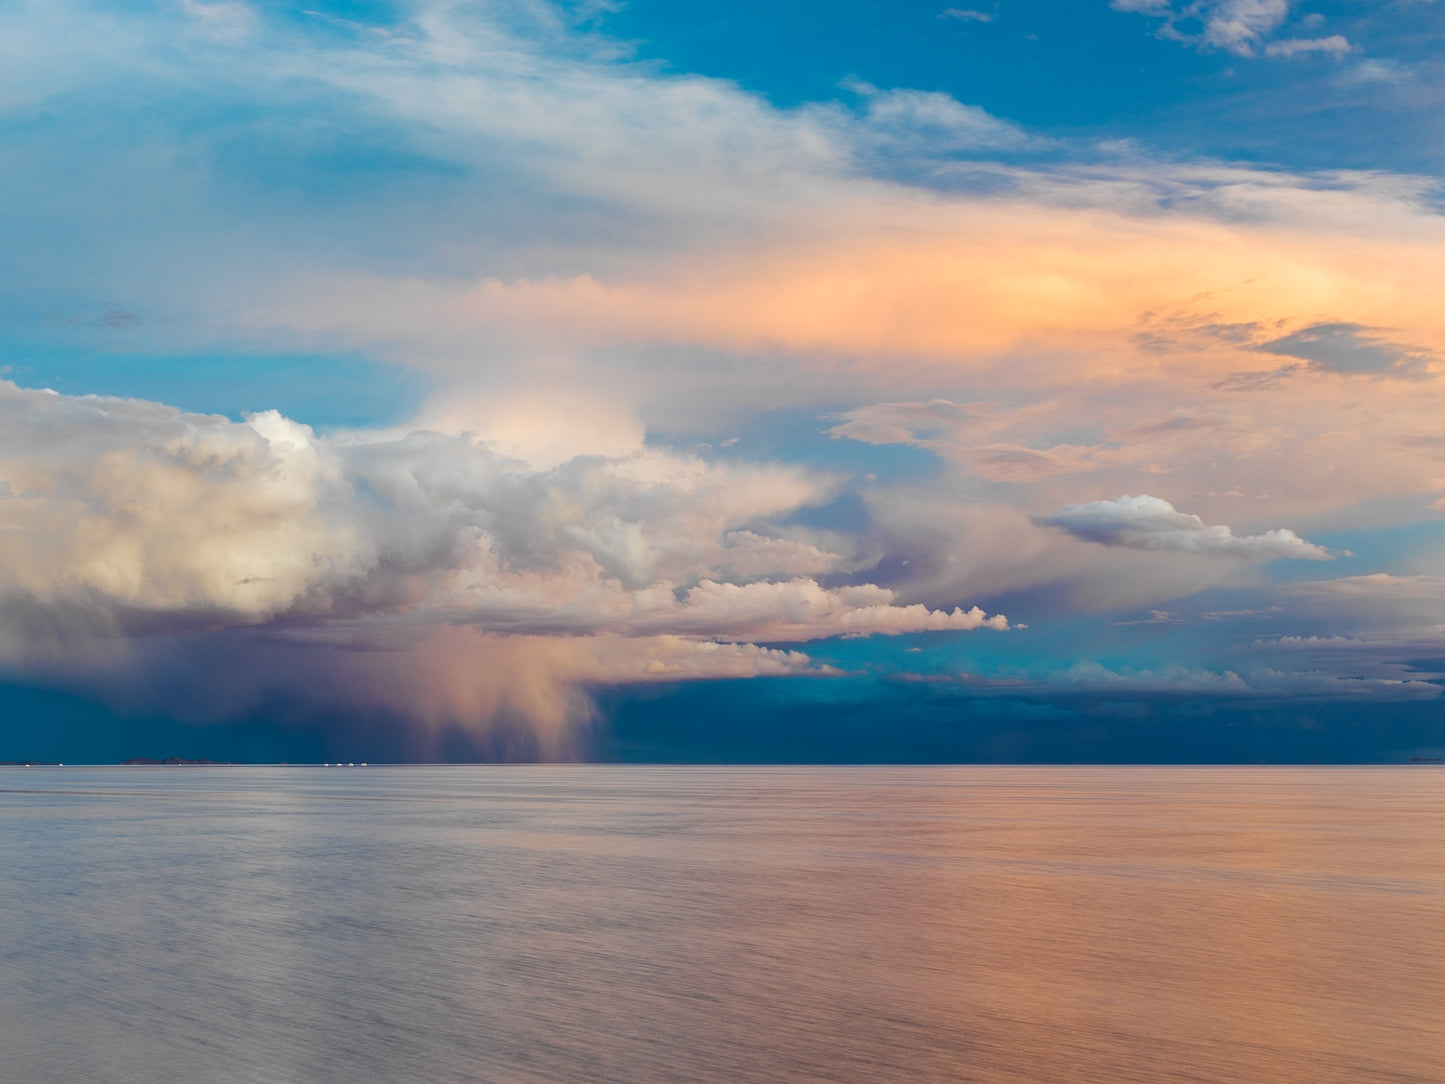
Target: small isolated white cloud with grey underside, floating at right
[{"x": 1147, "y": 522}]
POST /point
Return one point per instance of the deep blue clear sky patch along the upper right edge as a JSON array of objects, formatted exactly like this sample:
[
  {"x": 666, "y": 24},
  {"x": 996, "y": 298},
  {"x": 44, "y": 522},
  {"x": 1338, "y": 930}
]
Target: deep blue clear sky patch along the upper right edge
[{"x": 1087, "y": 72}]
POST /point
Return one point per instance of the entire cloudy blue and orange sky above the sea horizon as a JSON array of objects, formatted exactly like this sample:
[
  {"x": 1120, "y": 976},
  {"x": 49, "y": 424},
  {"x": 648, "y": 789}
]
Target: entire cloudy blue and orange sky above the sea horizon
[{"x": 751, "y": 382}]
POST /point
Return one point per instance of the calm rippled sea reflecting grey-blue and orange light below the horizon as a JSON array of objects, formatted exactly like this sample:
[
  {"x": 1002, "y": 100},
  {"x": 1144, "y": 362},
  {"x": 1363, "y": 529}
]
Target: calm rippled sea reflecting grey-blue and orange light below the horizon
[{"x": 619, "y": 924}]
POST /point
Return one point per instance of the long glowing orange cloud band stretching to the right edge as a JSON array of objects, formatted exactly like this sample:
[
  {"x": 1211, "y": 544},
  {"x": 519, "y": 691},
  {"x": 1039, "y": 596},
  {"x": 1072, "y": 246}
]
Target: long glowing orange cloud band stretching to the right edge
[{"x": 915, "y": 296}]
